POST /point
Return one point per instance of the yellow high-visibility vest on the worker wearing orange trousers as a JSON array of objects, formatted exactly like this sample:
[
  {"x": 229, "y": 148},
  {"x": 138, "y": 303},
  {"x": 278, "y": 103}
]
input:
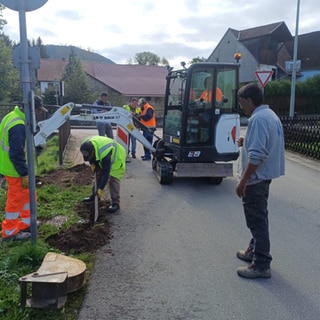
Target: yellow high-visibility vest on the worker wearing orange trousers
[{"x": 12, "y": 119}]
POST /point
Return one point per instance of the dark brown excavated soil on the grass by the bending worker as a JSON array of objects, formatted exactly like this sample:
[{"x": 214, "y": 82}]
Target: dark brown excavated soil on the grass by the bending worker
[{"x": 84, "y": 236}]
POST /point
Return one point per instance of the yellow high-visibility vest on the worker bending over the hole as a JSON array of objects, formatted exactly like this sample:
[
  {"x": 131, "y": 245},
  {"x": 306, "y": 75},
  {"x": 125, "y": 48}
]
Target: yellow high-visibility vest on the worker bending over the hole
[{"x": 103, "y": 146}]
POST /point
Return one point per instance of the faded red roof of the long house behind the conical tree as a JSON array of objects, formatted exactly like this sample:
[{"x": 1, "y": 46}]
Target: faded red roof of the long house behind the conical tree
[{"x": 129, "y": 80}]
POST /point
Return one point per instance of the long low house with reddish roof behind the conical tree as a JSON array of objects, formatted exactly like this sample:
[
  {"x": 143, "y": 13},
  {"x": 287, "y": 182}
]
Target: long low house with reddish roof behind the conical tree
[{"x": 122, "y": 82}]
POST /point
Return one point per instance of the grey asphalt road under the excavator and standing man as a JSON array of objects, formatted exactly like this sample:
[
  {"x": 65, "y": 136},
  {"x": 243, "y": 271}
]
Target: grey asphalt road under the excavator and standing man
[{"x": 172, "y": 255}]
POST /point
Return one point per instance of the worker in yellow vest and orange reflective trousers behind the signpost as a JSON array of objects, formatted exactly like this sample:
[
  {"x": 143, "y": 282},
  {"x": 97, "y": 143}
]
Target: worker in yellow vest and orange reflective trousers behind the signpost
[{"x": 13, "y": 166}]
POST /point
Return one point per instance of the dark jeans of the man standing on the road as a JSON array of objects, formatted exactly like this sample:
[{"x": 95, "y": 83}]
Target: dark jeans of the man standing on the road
[{"x": 255, "y": 205}]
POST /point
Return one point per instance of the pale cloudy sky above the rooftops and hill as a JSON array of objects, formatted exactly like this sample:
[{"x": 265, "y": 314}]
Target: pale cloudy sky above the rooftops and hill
[{"x": 178, "y": 30}]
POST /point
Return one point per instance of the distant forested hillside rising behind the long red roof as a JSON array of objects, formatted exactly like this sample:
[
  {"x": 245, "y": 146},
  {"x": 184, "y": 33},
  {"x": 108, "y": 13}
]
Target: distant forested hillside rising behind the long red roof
[{"x": 62, "y": 52}]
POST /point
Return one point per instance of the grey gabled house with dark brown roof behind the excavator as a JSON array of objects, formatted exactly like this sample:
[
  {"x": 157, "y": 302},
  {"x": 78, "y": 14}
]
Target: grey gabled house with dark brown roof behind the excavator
[{"x": 261, "y": 48}]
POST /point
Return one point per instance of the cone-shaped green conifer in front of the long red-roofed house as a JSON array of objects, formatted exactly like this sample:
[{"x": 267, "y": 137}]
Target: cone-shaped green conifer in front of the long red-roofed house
[{"x": 76, "y": 85}]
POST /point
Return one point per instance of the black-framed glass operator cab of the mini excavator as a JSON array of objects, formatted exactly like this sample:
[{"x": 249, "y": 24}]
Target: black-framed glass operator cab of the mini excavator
[{"x": 195, "y": 100}]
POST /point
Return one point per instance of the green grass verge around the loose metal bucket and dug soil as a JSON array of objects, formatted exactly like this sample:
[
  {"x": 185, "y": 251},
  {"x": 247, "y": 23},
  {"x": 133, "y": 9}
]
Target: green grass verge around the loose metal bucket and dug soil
[{"x": 18, "y": 259}]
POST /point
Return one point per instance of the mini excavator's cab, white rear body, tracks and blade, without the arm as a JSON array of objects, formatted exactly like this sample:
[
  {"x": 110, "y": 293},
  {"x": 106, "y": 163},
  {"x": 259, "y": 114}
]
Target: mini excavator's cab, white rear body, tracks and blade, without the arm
[{"x": 201, "y": 121}]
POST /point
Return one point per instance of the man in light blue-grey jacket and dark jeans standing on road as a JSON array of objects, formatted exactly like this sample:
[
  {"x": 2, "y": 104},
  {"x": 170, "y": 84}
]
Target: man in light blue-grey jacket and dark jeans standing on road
[{"x": 262, "y": 159}]
